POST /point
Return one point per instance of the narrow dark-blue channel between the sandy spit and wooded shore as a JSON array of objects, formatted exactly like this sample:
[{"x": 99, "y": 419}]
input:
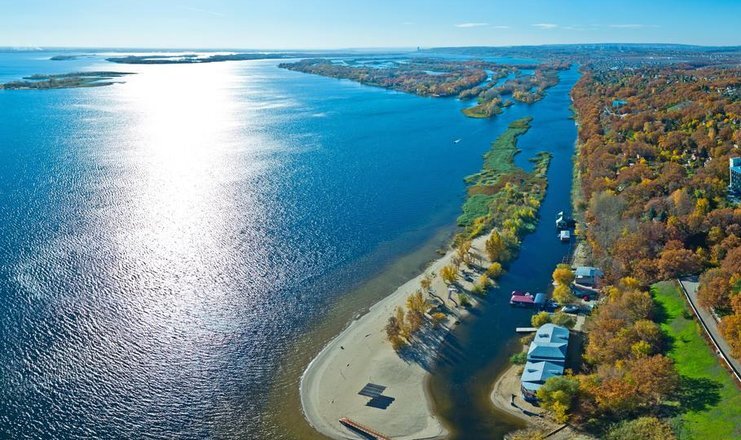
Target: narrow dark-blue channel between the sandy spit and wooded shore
[{"x": 479, "y": 349}]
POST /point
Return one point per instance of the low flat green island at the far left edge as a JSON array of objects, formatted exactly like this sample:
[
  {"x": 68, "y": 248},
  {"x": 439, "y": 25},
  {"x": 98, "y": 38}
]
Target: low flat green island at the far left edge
[{"x": 64, "y": 81}]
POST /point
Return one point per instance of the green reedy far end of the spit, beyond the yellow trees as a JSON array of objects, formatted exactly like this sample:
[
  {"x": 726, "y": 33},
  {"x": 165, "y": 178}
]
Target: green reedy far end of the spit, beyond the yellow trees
[{"x": 502, "y": 193}]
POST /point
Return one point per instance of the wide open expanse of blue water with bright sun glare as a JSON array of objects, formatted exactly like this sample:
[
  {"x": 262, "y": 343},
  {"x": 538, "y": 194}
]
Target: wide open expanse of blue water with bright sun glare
[{"x": 163, "y": 242}]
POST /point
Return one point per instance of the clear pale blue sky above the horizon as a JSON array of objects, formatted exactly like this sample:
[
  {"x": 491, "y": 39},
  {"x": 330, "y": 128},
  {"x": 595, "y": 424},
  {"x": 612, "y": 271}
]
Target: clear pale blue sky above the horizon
[{"x": 334, "y": 24}]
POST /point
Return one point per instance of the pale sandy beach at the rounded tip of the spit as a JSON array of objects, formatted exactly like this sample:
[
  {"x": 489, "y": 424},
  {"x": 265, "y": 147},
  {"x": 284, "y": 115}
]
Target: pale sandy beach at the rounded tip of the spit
[{"x": 362, "y": 355}]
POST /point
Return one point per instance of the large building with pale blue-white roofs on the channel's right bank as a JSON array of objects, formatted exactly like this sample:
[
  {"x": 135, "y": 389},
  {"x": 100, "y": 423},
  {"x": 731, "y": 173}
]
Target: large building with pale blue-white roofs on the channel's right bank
[{"x": 545, "y": 358}]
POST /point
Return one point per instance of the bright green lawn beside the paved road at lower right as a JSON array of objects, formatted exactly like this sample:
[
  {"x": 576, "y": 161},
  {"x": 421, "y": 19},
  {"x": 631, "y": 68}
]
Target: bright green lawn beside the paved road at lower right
[{"x": 710, "y": 407}]
